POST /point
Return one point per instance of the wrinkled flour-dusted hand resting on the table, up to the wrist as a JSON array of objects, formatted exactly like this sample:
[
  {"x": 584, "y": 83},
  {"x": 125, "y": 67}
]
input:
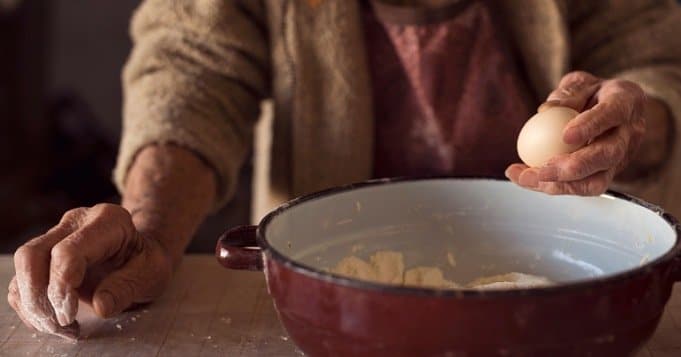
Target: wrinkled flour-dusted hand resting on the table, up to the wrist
[{"x": 95, "y": 255}]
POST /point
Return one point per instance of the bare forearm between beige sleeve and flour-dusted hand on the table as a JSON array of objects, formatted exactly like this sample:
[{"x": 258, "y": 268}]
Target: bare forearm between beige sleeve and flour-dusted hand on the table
[{"x": 169, "y": 192}]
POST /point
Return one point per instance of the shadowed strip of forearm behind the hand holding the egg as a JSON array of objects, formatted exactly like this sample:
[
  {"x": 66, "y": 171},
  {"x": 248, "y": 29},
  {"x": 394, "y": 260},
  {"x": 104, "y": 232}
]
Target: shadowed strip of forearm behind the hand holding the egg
[{"x": 656, "y": 144}]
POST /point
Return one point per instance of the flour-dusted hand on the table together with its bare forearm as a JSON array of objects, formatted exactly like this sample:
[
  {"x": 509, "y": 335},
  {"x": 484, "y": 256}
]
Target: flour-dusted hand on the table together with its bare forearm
[{"x": 109, "y": 256}]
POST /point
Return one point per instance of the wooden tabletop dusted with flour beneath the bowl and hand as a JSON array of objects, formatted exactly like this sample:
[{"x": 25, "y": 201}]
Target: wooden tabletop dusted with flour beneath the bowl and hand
[{"x": 209, "y": 311}]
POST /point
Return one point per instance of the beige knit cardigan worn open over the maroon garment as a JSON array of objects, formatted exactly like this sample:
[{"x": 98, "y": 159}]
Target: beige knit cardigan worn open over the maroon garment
[{"x": 200, "y": 69}]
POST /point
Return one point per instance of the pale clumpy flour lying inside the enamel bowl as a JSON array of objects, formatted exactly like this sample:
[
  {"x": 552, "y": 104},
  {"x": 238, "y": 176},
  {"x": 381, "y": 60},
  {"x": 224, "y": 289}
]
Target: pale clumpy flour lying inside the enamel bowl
[{"x": 388, "y": 267}]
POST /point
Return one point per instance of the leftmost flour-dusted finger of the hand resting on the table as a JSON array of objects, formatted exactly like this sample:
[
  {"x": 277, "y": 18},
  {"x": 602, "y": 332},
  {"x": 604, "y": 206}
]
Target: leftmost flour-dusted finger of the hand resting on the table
[{"x": 31, "y": 262}]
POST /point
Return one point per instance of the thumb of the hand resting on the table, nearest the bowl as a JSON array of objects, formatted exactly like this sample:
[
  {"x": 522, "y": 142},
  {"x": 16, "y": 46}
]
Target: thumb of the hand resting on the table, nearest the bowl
[{"x": 140, "y": 280}]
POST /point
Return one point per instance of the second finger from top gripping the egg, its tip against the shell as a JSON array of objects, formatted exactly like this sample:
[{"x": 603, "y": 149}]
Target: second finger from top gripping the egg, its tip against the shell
[{"x": 594, "y": 122}]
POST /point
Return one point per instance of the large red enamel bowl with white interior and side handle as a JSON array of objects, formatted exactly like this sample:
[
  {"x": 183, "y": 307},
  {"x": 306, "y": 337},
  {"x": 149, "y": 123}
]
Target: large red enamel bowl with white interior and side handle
[{"x": 614, "y": 259}]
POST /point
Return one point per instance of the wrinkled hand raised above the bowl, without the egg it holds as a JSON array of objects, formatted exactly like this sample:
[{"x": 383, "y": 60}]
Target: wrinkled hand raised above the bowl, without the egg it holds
[{"x": 610, "y": 126}]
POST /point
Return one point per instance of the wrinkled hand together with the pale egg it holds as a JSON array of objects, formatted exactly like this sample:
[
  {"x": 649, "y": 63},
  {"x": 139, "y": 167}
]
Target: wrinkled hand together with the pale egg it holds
[{"x": 582, "y": 136}]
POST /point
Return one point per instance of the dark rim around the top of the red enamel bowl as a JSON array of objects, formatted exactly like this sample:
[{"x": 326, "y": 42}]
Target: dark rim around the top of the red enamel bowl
[{"x": 583, "y": 285}]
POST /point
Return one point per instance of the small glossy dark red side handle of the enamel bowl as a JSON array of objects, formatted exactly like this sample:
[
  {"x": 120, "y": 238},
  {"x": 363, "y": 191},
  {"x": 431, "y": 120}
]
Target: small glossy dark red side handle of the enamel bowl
[{"x": 237, "y": 249}]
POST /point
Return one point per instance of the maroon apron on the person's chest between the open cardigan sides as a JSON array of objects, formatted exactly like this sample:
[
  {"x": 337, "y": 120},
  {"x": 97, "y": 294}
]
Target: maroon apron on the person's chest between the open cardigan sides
[{"x": 449, "y": 98}]
